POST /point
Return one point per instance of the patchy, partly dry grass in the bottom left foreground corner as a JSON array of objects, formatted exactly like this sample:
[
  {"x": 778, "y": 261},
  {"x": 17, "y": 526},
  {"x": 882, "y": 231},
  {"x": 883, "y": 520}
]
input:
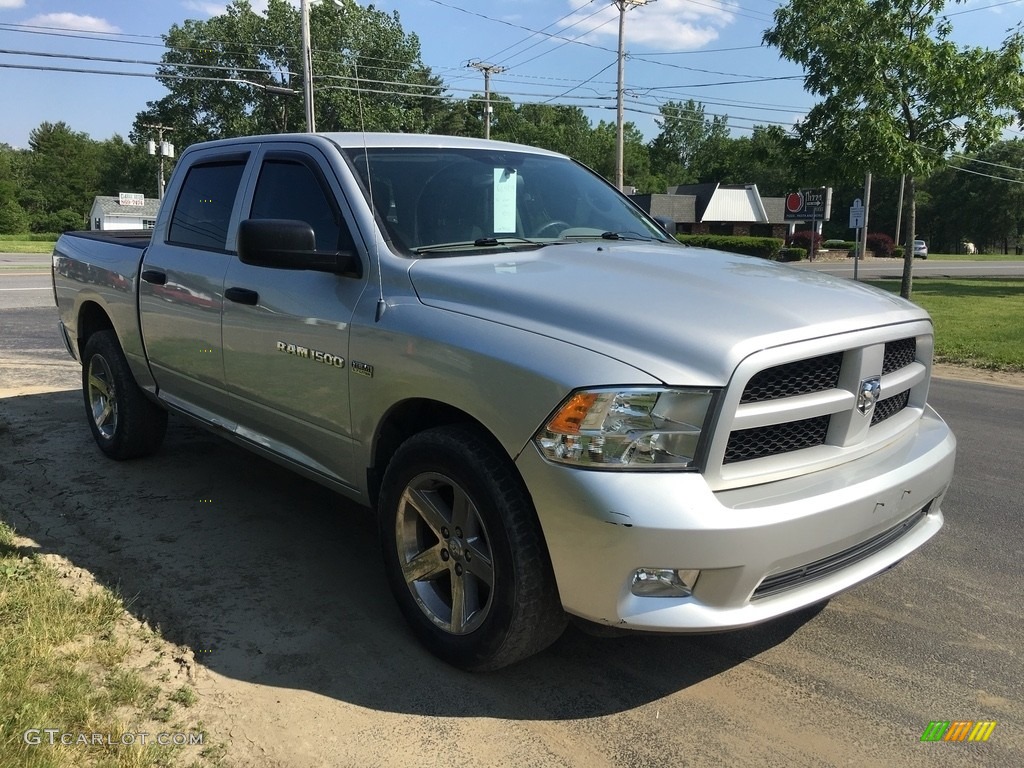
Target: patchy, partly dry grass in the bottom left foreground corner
[{"x": 74, "y": 664}]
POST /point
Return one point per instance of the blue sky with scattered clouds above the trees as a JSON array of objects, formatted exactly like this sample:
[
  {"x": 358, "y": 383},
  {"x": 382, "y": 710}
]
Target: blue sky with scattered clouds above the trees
[{"x": 554, "y": 52}]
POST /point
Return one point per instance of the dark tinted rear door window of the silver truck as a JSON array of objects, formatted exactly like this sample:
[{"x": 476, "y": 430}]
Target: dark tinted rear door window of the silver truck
[{"x": 203, "y": 210}]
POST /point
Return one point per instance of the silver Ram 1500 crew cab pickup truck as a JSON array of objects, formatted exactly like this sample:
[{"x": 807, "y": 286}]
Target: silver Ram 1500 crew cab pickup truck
[{"x": 554, "y": 408}]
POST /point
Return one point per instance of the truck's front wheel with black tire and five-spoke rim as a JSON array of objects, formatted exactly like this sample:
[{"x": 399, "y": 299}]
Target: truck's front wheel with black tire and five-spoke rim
[{"x": 454, "y": 516}]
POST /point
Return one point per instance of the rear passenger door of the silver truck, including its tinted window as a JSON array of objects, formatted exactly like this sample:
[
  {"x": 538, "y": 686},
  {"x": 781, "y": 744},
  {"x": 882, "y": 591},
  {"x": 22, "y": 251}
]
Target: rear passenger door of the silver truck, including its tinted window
[{"x": 182, "y": 286}]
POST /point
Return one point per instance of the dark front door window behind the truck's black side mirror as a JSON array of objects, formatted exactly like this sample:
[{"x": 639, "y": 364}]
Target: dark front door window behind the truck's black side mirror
[{"x": 291, "y": 190}]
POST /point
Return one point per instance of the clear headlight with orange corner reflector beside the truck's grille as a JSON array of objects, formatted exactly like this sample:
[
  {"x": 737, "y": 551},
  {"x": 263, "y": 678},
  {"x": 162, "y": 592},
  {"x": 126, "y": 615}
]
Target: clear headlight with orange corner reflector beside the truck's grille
[{"x": 639, "y": 429}]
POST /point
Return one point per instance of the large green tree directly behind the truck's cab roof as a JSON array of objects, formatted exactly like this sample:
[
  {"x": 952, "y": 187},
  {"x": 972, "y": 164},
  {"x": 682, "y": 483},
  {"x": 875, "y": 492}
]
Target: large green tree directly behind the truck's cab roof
[{"x": 229, "y": 76}]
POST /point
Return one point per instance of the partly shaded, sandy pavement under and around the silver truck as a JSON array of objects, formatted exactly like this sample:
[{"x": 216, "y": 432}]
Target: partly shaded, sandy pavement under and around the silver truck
[{"x": 312, "y": 663}]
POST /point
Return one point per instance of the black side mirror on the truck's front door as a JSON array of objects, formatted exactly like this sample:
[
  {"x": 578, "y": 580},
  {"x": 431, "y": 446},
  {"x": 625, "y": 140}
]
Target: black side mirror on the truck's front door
[{"x": 288, "y": 244}]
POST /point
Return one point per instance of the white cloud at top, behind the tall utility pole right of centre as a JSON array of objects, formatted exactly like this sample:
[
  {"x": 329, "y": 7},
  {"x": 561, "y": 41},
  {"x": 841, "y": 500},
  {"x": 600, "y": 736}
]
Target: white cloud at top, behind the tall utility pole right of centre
[{"x": 672, "y": 25}]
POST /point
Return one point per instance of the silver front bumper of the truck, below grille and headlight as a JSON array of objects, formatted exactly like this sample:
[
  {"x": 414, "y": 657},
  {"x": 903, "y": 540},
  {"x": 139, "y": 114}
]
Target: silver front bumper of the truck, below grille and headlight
[{"x": 817, "y": 535}]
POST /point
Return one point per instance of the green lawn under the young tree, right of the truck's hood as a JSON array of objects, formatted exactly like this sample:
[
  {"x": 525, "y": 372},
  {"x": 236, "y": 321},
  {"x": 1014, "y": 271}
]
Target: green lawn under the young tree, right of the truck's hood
[{"x": 978, "y": 323}]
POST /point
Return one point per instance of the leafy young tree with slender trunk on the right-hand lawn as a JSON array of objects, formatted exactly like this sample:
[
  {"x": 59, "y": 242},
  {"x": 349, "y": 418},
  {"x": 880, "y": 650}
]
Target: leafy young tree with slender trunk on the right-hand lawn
[{"x": 898, "y": 95}]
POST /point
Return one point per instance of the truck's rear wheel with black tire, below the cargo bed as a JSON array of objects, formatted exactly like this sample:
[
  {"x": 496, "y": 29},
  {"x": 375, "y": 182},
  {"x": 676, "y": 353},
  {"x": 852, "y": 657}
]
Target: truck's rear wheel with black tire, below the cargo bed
[{"x": 124, "y": 422}]
